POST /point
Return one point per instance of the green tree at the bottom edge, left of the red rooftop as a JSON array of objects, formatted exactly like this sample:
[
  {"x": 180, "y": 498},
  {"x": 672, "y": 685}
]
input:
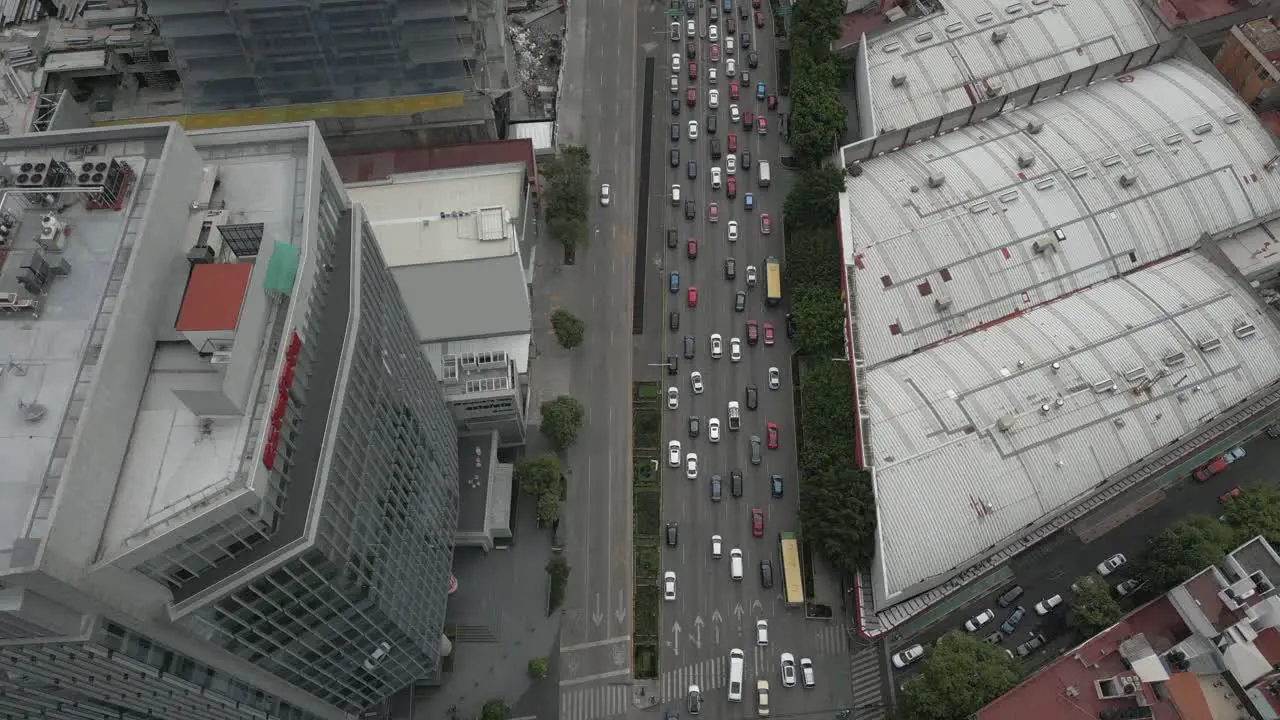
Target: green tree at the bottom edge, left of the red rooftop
[{"x": 958, "y": 677}]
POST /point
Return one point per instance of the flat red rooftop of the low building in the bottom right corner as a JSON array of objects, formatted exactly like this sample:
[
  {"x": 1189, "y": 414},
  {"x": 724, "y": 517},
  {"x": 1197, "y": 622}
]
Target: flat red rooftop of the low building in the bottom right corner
[{"x": 1048, "y": 695}]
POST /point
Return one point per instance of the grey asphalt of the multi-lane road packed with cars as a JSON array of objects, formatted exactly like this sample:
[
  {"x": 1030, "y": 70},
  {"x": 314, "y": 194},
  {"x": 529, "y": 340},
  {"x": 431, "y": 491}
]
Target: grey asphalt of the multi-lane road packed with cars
[{"x": 715, "y": 614}]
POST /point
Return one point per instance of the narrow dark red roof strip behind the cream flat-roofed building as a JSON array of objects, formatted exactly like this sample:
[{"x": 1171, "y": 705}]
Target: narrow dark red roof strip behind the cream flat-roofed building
[{"x": 381, "y": 166}]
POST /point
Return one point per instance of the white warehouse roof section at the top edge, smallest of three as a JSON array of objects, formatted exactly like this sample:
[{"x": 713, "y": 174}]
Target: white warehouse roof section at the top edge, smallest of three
[{"x": 975, "y": 49}]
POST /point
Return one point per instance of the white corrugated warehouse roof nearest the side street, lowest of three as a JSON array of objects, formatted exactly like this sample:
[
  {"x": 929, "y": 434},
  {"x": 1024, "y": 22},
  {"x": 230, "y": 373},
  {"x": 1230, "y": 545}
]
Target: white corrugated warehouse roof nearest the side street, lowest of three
[{"x": 979, "y": 438}]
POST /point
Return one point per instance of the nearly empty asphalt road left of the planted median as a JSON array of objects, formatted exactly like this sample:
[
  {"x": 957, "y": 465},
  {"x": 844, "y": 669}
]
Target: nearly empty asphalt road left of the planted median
[{"x": 596, "y": 637}]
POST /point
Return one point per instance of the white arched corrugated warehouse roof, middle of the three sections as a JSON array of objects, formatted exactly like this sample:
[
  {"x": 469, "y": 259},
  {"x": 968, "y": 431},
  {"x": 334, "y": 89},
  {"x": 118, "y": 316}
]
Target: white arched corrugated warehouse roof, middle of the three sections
[{"x": 932, "y": 262}]
